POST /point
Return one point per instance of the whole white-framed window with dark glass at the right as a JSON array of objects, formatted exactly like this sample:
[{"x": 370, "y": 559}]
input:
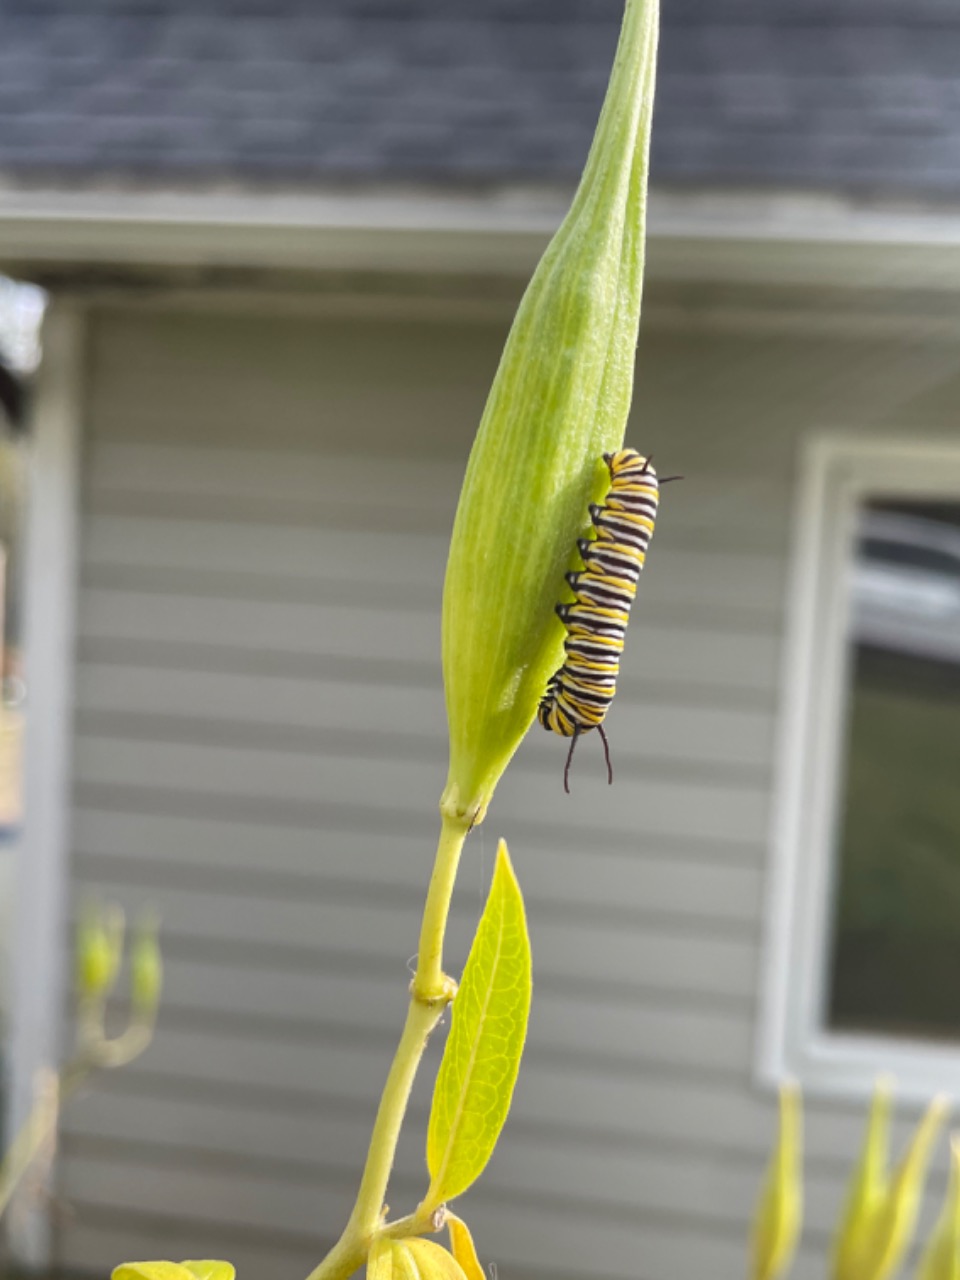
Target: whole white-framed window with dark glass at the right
[{"x": 865, "y": 924}]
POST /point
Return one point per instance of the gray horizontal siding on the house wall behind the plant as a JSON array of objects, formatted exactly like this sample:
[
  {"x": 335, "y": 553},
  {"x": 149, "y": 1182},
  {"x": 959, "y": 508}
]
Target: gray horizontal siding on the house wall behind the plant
[{"x": 260, "y": 749}]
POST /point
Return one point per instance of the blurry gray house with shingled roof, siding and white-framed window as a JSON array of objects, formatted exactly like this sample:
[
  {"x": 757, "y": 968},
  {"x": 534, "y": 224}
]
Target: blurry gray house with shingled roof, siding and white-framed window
[{"x": 284, "y": 249}]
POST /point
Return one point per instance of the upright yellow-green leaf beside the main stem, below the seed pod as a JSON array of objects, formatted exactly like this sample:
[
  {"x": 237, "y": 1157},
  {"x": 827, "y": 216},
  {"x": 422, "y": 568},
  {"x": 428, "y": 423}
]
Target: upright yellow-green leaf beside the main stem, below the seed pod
[{"x": 481, "y": 1064}]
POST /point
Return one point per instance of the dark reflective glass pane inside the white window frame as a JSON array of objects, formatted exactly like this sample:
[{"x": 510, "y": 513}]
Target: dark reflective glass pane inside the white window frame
[{"x": 897, "y": 927}]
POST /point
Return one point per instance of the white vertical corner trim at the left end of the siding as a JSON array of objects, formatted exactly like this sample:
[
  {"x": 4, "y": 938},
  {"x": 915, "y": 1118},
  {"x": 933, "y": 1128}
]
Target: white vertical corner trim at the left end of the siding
[{"x": 43, "y": 854}]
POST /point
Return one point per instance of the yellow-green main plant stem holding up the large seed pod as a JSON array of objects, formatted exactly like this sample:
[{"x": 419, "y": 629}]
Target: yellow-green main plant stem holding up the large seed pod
[{"x": 431, "y": 993}]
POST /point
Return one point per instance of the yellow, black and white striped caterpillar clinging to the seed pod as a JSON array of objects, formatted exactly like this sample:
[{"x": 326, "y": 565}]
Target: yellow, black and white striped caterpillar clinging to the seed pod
[{"x": 580, "y": 693}]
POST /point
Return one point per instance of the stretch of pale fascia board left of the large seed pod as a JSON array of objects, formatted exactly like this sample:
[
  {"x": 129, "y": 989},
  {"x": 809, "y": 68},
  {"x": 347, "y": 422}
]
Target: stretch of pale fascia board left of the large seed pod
[{"x": 372, "y": 231}]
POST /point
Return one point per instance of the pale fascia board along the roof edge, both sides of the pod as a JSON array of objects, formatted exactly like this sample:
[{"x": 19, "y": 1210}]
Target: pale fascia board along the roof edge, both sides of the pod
[{"x": 708, "y": 237}]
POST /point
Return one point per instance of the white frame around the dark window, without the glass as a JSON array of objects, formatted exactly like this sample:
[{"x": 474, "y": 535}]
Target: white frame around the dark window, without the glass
[{"x": 836, "y": 474}]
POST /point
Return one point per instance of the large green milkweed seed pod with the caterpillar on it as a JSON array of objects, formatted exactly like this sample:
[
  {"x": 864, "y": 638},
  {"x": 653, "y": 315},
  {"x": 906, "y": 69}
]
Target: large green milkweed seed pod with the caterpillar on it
[{"x": 559, "y": 403}]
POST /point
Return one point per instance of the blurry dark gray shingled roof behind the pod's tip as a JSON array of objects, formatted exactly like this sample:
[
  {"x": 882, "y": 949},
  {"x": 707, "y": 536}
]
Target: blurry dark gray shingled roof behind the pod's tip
[{"x": 852, "y": 95}]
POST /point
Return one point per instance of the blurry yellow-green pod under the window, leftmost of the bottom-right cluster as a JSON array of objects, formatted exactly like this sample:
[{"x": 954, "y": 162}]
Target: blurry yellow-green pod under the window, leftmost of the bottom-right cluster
[{"x": 780, "y": 1209}]
